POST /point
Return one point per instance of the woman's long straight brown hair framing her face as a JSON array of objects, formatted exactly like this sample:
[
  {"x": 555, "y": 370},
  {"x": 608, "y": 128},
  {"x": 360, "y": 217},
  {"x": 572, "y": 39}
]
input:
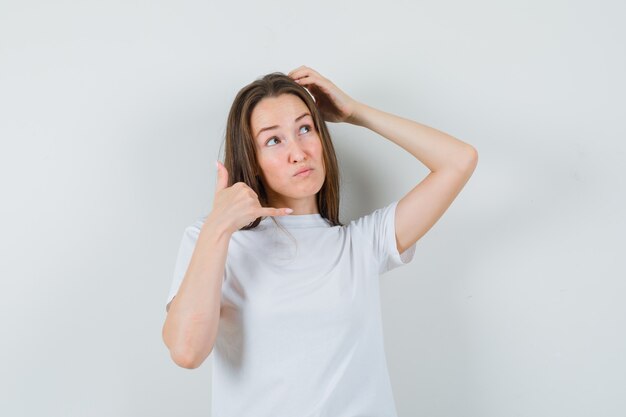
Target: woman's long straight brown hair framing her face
[{"x": 240, "y": 153}]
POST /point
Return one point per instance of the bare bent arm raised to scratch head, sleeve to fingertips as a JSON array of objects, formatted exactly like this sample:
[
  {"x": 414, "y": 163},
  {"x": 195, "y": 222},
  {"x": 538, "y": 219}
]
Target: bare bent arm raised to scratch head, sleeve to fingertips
[{"x": 450, "y": 160}]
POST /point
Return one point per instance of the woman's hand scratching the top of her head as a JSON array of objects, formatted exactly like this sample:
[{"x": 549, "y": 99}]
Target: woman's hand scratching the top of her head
[{"x": 334, "y": 105}]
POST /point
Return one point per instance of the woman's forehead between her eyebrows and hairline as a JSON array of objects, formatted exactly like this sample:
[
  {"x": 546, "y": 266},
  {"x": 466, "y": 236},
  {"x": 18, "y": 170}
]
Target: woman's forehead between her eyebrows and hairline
[{"x": 277, "y": 111}]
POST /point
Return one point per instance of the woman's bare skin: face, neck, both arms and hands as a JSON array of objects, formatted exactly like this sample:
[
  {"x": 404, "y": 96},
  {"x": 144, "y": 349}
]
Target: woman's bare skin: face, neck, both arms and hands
[{"x": 191, "y": 325}]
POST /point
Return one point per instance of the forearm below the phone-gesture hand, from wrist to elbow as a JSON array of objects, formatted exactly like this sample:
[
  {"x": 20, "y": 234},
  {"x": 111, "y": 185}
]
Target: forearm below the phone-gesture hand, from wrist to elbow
[{"x": 191, "y": 325}]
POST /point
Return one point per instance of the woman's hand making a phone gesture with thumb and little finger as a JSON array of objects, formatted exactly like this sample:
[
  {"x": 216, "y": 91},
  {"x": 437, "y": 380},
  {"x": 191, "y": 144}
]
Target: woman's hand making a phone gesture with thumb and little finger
[{"x": 238, "y": 205}]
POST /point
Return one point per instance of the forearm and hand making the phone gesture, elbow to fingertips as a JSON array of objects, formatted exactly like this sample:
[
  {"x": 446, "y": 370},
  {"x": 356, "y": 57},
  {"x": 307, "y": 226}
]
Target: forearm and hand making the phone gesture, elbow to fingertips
[{"x": 190, "y": 328}]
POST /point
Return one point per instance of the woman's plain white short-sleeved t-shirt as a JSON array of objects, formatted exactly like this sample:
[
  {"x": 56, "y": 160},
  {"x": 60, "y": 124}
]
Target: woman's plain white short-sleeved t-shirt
[{"x": 300, "y": 330}]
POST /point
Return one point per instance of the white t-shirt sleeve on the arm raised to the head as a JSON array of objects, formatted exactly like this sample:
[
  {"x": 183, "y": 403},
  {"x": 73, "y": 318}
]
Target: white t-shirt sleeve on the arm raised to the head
[{"x": 378, "y": 228}]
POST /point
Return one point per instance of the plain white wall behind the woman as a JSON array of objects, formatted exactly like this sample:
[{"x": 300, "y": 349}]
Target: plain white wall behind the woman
[{"x": 112, "y": 114}]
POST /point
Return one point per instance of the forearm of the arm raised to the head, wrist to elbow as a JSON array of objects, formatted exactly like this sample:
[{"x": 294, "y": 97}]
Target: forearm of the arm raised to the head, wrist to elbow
[{"x": 435, "y": 149}]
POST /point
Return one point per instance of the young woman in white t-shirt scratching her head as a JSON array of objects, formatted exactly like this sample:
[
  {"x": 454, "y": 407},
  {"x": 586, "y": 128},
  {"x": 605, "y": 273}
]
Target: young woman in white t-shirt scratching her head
[{"x": 284, "y": 295}]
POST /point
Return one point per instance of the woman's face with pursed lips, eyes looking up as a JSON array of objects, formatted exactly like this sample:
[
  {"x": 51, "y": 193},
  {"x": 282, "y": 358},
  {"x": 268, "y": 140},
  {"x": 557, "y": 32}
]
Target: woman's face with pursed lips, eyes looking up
[{"x": 286, "y": 141}]
